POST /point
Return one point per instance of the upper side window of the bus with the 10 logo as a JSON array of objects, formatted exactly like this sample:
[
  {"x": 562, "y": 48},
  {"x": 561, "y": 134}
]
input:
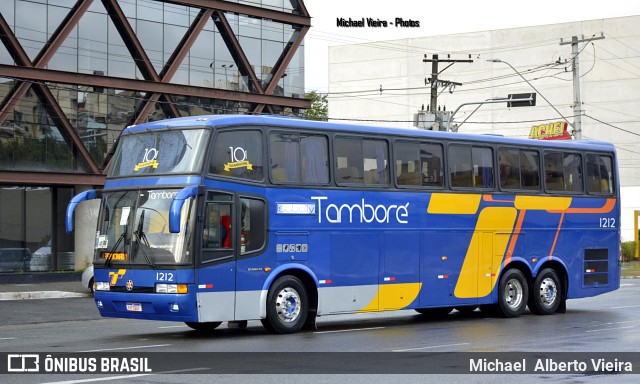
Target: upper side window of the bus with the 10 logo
[{"x": 238, "y": 153}]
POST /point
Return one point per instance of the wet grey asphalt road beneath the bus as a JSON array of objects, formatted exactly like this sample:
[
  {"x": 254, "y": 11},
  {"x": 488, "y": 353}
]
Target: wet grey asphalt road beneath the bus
[{"x": 607, "y": 323}]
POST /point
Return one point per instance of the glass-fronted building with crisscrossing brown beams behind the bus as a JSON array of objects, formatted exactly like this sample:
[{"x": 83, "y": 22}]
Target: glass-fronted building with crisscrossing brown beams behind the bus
[{"x": 74, "y": 73}]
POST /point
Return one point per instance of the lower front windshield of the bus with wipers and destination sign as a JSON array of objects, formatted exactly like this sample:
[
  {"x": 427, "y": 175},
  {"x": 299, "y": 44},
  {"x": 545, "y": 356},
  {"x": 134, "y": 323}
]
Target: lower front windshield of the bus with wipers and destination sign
[{"x": 133, "y": 228}]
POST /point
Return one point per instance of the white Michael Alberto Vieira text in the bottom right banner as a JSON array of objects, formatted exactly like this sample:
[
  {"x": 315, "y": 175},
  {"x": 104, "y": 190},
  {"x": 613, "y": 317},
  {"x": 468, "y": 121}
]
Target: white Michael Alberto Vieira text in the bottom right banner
[{"x": 550, "y": 365}]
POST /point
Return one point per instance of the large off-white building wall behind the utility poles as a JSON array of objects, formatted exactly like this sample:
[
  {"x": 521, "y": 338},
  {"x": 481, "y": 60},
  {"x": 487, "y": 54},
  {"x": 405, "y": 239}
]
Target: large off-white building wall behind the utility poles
[{"x": 610, "y": 79}]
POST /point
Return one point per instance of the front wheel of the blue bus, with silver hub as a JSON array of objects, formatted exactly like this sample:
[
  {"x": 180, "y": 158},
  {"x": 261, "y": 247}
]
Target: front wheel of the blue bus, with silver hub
[{"x": 287, "y": 306}]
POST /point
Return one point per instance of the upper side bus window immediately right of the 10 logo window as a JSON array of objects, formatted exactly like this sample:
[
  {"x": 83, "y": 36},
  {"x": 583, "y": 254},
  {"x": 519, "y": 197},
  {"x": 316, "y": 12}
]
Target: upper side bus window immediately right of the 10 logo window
[{"x": 299, "y": 158}]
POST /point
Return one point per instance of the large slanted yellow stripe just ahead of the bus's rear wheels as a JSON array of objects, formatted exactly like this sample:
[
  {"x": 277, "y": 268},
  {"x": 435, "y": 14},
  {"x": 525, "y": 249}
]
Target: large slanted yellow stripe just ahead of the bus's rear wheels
[{"x": 482, "y": 262}]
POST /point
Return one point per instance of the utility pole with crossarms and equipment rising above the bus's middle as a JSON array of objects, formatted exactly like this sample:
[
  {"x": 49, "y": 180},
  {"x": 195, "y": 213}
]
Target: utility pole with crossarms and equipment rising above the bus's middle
[{"x": 436, "y": 116}]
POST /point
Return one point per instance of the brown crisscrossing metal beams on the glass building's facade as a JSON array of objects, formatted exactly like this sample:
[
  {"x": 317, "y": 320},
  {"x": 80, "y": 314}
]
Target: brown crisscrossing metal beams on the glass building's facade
[{"x": 157, "y": 87}]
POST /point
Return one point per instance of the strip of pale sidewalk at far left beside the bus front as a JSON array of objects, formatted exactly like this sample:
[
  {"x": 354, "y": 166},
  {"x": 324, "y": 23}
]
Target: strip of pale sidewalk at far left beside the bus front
[{"x": 41, "y": 286}]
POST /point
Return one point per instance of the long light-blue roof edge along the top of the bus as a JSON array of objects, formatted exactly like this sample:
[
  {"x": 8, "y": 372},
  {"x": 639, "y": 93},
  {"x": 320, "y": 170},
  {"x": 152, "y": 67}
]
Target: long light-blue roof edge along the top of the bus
[{"x": 287, "y": 122}]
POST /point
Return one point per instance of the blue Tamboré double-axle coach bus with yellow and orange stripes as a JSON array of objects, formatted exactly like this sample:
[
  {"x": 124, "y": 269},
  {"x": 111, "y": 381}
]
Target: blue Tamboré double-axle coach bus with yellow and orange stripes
[{"x": 212, "y": 219}]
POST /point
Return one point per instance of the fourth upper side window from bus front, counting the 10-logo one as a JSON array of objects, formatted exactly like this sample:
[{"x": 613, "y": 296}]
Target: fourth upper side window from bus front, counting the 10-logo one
[{"x": 419, "y": 164}]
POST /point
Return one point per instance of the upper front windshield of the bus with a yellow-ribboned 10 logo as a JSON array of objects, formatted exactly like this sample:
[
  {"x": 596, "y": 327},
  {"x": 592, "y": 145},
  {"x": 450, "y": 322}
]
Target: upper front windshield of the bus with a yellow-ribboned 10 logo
[{"x": 160, "y": 152}]
